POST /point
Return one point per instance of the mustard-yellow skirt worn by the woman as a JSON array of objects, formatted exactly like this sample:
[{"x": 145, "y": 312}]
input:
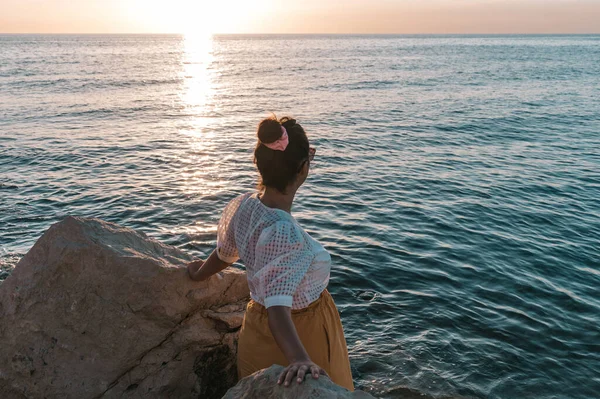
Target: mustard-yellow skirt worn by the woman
[{"x": 319, "y": 328}]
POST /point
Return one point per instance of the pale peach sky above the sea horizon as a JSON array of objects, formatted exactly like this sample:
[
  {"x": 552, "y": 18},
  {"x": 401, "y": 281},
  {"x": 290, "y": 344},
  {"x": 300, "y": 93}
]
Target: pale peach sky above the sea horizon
[{"x": 299, "y": 16}]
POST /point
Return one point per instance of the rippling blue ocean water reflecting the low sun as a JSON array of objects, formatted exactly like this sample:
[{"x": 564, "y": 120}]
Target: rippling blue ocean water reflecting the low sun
[{"x": 456, "y": 182}]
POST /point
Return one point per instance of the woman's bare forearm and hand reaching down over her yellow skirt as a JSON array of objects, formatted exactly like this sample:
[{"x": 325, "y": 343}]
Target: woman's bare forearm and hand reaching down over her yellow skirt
[{"x": 285, "y": 334}]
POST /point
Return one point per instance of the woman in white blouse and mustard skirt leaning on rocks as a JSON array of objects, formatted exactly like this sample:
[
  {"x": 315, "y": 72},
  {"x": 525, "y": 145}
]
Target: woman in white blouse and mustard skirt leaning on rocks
[{"x": 291, "y": 319}]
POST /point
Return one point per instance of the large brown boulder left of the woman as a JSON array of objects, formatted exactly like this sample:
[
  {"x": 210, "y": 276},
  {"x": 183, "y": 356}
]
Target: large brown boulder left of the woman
[{"x": 95, "y": 310}]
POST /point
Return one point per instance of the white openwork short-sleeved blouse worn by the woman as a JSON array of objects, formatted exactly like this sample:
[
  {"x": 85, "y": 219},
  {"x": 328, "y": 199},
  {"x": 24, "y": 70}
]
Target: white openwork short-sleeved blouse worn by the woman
[{"x": 285, "y": 265}]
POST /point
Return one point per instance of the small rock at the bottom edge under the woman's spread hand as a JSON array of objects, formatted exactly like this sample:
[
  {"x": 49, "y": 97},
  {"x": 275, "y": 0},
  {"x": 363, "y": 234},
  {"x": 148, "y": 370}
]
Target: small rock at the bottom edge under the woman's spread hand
[{"x": 263, "y": 385}]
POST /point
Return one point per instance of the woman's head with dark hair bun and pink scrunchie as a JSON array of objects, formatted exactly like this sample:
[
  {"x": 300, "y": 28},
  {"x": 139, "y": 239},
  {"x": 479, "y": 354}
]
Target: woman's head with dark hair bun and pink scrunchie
[{"x": 280, "y": 169}]
